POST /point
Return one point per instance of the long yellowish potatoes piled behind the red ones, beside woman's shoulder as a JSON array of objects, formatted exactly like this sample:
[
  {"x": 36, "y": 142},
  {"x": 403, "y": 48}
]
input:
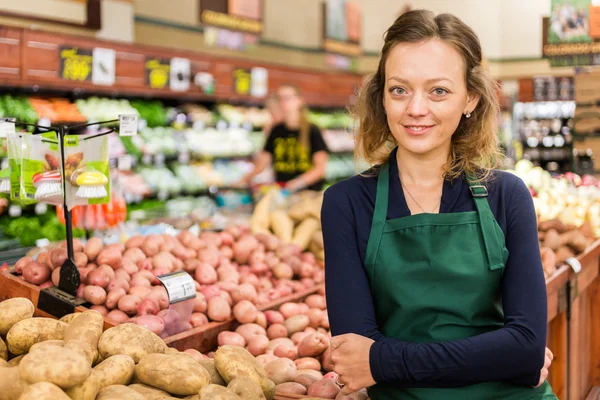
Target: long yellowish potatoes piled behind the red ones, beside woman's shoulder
[{"x": 296, "y": 221}]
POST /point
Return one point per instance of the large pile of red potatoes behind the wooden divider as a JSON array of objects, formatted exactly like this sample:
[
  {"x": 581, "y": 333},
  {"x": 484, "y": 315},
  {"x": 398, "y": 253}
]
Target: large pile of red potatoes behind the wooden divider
[{"x": 235, "y": 272}]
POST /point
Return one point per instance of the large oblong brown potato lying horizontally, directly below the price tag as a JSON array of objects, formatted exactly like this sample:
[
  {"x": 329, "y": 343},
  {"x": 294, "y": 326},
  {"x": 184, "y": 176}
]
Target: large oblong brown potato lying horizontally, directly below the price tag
[{"x": 176, "y": 373}]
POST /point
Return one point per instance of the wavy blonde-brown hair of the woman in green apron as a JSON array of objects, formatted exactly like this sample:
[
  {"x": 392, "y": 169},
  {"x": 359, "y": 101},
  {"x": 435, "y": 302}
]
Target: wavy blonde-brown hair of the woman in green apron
[{"x": 475, "y": 149}]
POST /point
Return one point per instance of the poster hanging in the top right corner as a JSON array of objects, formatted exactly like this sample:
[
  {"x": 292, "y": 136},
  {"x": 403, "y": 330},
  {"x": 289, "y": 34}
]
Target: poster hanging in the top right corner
[{"x": 572, "y": 33}]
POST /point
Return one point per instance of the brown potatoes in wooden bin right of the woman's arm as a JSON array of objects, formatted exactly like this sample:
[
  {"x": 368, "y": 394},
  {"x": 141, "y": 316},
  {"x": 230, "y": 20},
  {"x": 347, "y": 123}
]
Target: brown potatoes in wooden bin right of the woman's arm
[{"x": 559, "y": 242}]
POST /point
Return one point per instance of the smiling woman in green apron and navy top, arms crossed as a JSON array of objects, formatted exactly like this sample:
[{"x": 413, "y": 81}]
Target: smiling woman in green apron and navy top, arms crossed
[{"x": 434, "y": 281}]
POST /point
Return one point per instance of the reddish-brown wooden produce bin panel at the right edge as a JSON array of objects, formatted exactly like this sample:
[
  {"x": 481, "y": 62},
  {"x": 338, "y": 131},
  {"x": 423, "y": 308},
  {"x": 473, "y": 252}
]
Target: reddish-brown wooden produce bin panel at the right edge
[{"x": 584, "y": 326}]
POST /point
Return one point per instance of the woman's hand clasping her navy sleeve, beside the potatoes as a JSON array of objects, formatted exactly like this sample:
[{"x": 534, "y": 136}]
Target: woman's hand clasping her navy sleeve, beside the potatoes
[{"x": 350, "y": 360}]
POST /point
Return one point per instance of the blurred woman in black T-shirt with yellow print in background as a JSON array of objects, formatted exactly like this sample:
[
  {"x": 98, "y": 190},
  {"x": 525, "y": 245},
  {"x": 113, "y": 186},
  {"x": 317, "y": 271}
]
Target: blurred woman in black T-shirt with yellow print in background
[{"x": 295, "y": 147}]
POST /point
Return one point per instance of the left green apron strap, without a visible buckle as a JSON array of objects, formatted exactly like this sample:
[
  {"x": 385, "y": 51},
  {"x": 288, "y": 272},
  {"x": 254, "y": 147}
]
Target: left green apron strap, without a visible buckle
[{"x": 379, "y": 214}]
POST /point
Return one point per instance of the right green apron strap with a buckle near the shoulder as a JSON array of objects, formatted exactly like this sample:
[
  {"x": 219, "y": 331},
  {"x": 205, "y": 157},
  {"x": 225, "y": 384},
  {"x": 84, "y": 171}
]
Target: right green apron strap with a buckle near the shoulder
[{"x": 491, "y": 239}]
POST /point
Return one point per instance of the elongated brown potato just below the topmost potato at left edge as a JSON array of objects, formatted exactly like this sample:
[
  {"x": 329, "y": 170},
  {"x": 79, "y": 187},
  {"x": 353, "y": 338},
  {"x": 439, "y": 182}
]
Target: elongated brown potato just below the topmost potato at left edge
[{"x": 28, "y": 332}]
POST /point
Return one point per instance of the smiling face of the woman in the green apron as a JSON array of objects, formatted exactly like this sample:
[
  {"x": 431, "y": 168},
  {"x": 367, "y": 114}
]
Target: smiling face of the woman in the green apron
[{"x": 425, "y": 95}]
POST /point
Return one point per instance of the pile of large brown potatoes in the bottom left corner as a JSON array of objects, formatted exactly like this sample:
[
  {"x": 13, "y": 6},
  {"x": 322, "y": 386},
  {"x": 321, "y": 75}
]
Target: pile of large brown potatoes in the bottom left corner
[{"x": 71, "y": 358}]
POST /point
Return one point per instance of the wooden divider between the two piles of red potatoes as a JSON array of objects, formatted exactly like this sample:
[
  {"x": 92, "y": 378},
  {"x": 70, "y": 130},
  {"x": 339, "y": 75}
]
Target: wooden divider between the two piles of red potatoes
[{"x": 204, "y": 338}]
